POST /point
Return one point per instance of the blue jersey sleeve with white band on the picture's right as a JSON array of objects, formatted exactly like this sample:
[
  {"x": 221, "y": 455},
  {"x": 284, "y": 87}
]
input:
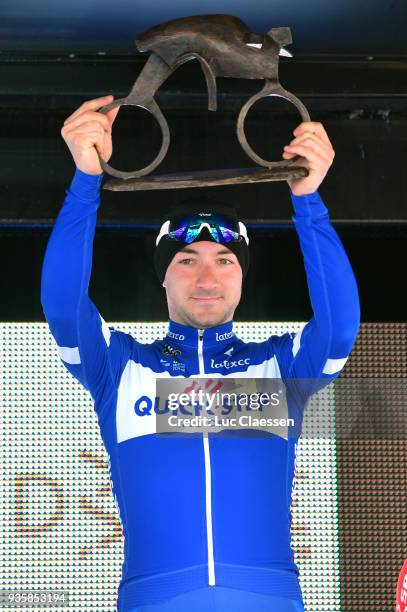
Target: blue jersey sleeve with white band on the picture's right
[{"x": 320, "y": 349}]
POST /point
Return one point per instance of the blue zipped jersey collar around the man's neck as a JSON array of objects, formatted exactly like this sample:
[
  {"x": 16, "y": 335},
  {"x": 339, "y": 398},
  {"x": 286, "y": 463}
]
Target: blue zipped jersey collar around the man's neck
[{"x": 189, "y": 336}]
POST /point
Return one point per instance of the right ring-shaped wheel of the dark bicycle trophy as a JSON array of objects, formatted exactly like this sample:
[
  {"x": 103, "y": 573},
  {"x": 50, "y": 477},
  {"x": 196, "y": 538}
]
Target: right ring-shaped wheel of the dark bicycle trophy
[{"x": 269, "y": 89}]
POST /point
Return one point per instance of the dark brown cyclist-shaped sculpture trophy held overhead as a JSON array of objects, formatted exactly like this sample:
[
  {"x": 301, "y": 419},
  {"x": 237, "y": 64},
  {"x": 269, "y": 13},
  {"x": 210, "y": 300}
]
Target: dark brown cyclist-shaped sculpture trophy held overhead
[{"x": 224, "y": 47}]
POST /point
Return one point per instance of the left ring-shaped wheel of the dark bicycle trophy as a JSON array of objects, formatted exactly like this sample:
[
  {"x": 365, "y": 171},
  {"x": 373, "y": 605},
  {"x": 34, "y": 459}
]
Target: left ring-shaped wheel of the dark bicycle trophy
[{"x": 152, "y": 107}]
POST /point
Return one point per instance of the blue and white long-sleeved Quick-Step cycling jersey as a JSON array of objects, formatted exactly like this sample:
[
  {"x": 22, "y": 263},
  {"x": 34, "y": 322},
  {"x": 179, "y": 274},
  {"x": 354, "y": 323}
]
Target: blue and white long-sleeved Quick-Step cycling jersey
[{"x": 207, "y": 509}]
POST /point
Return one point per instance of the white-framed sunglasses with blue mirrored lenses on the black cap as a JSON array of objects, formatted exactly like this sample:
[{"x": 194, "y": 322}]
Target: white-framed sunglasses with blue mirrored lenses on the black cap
[{"x": 221, "y": 228}]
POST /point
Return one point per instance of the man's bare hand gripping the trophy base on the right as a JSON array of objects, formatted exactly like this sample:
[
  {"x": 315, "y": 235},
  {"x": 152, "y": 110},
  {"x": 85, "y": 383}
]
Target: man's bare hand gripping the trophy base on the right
[{"x": 312, "y": 143}]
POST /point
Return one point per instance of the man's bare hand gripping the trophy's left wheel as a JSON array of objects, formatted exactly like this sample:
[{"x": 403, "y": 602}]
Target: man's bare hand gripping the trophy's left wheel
[{"x": 87, "y": 130}]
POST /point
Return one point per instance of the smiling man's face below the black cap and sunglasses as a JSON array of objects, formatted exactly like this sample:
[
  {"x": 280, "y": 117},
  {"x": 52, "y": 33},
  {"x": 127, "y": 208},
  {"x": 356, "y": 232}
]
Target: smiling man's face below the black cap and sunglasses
[{"x": 203, "y": 284}]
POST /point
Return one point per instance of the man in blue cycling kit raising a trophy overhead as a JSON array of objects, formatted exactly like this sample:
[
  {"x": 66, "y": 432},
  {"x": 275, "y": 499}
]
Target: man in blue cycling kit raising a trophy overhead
[{"x": 206, "y": 519}]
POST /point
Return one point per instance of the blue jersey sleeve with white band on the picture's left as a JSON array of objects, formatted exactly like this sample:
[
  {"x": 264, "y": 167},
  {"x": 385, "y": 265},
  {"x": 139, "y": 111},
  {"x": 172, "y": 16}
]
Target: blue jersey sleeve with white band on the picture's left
[{"x": 93, "y": 352}]
